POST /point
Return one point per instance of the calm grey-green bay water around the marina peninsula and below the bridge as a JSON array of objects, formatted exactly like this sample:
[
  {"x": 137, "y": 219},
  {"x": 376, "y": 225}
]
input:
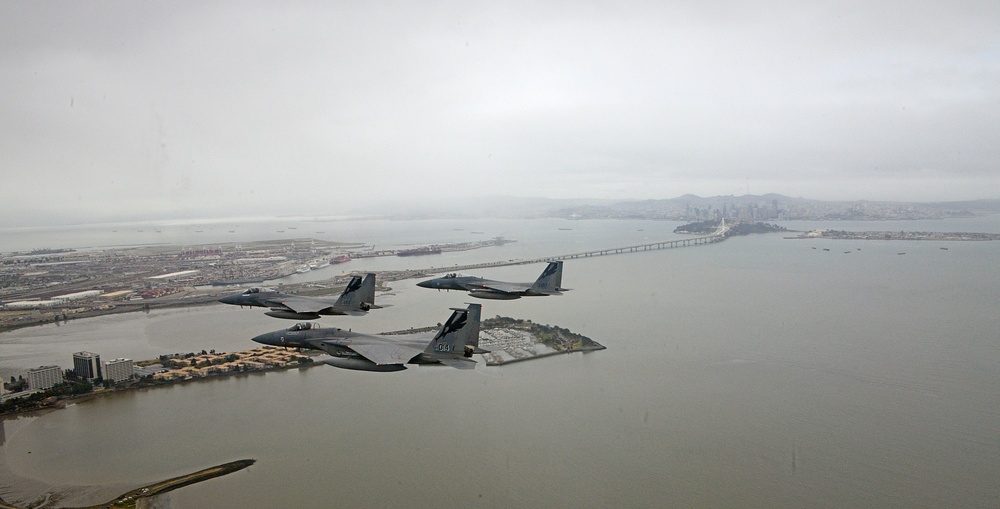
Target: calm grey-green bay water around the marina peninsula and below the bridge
[{"x": 758, "y": 372}]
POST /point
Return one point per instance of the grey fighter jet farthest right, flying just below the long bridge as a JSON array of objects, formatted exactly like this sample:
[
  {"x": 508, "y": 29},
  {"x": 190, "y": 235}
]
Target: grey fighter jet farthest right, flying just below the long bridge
[{"x": 549, "y": 283}]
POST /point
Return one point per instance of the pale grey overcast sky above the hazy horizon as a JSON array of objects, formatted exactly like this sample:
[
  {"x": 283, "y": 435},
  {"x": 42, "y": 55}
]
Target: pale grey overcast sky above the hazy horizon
[{"x": 236, "y": 108}]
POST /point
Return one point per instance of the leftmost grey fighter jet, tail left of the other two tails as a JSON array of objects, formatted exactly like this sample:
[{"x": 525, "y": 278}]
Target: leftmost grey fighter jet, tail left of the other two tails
[{"x": 356, "y": 299}]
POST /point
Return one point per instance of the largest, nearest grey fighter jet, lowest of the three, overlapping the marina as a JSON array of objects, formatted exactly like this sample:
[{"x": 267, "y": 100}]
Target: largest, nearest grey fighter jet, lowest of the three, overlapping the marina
[{"x": 452, "y": 346}]
